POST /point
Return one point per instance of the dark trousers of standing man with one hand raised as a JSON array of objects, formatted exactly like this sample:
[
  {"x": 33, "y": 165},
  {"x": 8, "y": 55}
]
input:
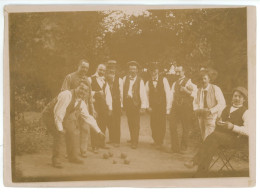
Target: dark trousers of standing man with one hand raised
[{"x": 180, "y": 114}]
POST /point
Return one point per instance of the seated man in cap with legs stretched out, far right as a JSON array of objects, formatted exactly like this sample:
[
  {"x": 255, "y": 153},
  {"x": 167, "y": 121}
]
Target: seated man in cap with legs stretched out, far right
[{"x": 231, "y": 130}]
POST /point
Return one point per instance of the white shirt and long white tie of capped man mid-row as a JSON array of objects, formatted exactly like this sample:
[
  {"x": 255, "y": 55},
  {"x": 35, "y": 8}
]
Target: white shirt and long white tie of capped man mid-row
[{"x": 143, "y": 95}]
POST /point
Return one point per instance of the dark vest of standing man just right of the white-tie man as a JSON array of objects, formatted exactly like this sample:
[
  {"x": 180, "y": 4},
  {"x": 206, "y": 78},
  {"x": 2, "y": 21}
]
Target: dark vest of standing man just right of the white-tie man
[{"x": 157, "y": 96}]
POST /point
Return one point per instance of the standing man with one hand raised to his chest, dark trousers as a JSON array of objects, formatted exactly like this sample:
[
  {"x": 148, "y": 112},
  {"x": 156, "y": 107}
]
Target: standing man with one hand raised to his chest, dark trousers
[{"x": 181, "y": 106}]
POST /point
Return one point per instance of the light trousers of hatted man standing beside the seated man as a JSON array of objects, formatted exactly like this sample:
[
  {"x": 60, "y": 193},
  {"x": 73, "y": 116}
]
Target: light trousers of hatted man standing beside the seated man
[{"x": 207, "y": 124}]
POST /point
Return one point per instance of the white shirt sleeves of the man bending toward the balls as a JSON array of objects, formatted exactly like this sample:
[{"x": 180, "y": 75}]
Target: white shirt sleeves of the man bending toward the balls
[{"x": 64, "y": 99}]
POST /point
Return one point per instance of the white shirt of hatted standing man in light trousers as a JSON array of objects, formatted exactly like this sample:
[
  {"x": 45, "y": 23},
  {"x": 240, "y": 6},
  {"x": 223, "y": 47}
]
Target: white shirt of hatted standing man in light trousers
[{"x": 221, "y": 103}]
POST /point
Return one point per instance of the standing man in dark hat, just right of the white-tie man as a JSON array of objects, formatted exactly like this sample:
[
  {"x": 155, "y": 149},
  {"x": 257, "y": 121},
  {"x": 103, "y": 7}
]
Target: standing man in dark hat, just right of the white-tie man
[{"x": 158, "y": 93}]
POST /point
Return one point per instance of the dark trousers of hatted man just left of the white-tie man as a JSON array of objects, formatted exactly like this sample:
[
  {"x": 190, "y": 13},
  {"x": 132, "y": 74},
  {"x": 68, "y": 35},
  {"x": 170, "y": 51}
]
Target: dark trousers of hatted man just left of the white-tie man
[{"x": 114, "y": 125}]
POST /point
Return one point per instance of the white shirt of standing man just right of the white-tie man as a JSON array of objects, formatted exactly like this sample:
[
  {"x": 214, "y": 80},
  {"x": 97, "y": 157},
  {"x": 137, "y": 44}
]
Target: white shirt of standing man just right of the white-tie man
[{"x": 167, "y": 90}]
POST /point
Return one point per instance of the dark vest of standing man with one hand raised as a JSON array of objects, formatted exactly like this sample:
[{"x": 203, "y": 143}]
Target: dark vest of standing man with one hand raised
[{"x": 181, "y": 98}]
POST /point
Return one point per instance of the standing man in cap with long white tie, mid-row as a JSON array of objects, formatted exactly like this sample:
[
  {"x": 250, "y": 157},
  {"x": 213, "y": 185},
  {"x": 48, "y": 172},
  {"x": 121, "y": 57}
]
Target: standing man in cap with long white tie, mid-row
[{"x": 134, "y": 100}]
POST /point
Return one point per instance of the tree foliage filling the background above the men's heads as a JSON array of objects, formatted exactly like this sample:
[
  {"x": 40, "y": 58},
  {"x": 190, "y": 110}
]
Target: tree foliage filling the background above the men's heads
[{"x": 44, "y": 47}]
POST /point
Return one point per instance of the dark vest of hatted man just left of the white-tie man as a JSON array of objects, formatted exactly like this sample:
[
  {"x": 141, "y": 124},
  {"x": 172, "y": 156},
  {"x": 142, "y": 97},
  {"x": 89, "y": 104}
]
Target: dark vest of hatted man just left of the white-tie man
[{"x": 115, "y": 92}]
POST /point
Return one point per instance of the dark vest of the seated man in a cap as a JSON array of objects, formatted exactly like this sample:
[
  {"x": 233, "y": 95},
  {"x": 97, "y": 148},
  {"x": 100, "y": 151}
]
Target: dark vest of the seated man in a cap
[{"x": 234, "y": 117}]
